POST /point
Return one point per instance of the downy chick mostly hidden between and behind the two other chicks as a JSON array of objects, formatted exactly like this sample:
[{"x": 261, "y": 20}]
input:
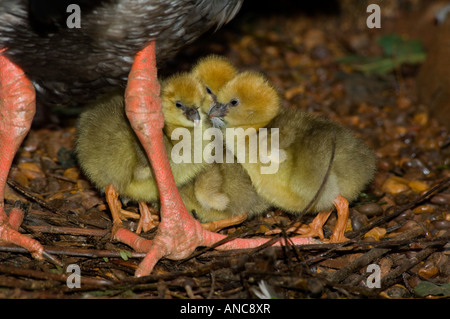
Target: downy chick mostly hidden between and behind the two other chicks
[{"x": 223, "y": 190}]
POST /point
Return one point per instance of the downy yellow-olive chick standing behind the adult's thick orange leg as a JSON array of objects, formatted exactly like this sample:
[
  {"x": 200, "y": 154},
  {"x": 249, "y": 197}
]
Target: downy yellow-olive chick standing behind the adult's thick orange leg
[{"x": 111, "y": 156}]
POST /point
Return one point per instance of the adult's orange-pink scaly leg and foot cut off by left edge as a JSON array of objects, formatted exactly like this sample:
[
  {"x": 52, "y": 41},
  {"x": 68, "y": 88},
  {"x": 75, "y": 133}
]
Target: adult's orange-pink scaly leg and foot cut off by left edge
[{"x": 17, "y": 108}]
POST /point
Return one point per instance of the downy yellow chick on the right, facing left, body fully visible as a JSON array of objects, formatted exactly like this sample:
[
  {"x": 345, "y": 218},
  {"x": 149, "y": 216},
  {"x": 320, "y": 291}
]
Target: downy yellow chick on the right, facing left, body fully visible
[{"x": 305, "y": 148}]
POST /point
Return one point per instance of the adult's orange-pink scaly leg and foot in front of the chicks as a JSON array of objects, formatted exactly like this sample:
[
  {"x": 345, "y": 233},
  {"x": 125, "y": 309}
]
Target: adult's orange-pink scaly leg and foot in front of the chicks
[{"x": 178, "y": 234}]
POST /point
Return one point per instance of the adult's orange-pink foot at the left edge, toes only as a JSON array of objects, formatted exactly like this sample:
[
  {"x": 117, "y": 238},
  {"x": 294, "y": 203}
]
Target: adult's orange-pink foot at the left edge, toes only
[{"x": 9, "y": 227}]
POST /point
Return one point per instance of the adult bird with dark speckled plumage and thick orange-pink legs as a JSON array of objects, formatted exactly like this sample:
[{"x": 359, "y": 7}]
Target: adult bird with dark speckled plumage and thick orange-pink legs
[{"x": 118, "y": 43}]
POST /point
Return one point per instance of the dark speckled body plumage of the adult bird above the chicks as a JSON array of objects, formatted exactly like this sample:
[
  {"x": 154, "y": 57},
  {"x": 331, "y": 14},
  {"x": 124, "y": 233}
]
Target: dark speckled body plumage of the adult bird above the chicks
[{"x": 73, "y": 66}]
